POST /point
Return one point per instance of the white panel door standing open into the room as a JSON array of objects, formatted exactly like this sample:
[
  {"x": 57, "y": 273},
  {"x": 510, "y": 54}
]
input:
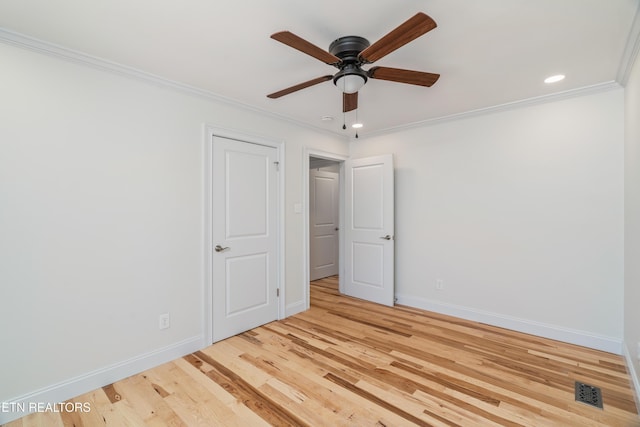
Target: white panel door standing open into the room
[{"x": 369, "y": 229}]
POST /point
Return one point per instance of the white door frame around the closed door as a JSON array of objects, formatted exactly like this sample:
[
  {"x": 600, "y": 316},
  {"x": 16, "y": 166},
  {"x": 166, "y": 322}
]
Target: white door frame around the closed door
[{"x": 209, "y": 132}]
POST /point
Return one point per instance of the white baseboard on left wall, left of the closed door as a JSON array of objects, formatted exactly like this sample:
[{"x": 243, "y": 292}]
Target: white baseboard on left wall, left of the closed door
[{"x": 57, "y": 393}]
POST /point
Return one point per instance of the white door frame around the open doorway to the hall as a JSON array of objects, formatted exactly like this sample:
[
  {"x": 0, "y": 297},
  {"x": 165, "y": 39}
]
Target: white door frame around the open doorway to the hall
[{"x": 307, "y": 153}]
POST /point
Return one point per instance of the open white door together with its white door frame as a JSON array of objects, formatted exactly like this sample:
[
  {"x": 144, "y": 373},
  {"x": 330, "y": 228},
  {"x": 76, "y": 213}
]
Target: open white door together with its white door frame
[{"x": 366, "y": 218}]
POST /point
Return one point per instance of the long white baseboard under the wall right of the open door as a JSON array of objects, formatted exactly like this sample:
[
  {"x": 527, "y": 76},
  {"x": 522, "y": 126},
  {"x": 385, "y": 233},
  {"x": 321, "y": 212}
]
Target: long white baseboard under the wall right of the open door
[{"x": 583, "y": 338}]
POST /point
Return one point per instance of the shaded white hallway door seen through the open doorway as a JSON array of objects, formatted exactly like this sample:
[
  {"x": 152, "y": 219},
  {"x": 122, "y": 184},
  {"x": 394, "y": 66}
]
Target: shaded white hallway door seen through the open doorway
[{"x": 324, "y": 192}]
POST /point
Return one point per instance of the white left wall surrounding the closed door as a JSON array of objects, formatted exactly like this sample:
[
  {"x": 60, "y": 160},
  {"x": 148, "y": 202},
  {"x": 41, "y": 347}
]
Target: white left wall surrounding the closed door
[{"x": 101, "y": 189}]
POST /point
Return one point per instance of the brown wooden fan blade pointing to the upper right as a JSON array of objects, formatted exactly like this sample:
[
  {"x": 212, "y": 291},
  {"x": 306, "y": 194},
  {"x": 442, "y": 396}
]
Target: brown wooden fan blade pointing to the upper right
[{"x": 410, "y": 30}]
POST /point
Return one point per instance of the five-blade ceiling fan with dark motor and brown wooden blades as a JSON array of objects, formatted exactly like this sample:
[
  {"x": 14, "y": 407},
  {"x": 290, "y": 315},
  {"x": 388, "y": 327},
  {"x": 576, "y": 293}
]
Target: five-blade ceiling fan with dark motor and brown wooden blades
[{"x": 350, "y": 53}]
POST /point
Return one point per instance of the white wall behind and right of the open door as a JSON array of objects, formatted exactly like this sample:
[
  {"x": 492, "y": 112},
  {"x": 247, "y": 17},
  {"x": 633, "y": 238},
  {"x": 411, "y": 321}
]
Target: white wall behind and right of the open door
[{"x": 520, "y": 213}]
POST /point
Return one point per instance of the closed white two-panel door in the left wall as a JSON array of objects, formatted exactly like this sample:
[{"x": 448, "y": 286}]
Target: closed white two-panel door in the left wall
[{"x": 245, "y": 199}]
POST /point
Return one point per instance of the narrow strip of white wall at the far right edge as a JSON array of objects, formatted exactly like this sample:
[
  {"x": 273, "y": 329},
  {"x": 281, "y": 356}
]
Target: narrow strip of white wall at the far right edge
[{"x": 632, "y": 223}]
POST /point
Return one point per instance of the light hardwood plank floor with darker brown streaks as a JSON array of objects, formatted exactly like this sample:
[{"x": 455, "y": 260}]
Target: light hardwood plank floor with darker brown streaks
[{"x": 347, "y": 362}]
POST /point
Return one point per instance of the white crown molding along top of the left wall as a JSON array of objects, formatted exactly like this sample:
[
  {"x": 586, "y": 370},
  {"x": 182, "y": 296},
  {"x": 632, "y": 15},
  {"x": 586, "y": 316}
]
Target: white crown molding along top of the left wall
[{"x": 51, "y": 49}]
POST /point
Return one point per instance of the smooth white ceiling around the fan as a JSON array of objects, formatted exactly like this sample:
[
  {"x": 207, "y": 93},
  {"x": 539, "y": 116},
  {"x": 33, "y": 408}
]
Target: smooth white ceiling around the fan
[{"x": 489, "y": 52}]
